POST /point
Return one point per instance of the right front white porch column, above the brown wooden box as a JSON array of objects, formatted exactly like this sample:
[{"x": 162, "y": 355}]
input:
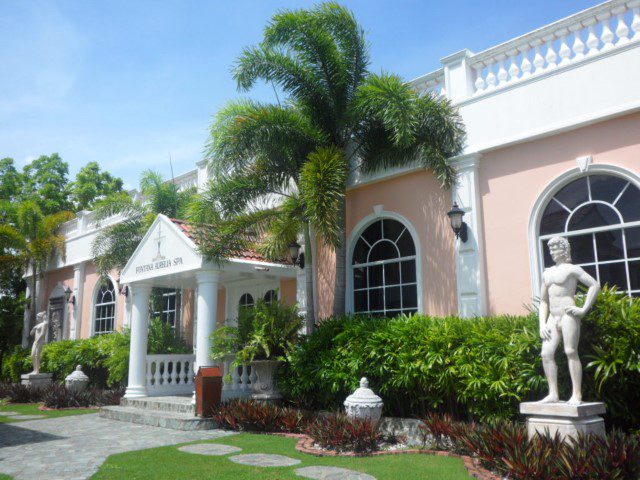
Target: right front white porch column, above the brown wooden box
[{"x": 207, "y": 316}]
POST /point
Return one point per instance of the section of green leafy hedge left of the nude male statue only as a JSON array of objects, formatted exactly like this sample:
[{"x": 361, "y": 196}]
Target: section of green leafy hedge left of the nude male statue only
[{"x": 468, "y": 367}]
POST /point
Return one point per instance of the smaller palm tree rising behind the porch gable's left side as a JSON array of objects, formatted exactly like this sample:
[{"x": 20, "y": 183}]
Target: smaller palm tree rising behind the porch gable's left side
[{"x": 114, "y": 244}]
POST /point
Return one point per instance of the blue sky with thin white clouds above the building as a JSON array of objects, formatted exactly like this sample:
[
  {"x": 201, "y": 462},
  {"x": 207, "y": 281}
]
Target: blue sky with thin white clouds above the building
[{"x": 130, "y": 84}]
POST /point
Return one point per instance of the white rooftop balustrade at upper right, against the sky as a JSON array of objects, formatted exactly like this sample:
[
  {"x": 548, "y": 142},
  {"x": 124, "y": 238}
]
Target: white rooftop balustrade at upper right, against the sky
[{"x": 584, "y": 35}]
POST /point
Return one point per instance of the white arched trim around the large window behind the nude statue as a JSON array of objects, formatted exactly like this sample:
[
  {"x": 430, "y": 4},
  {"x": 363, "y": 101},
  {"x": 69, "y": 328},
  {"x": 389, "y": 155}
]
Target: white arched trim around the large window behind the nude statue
[{"x": 535, "y": 260}]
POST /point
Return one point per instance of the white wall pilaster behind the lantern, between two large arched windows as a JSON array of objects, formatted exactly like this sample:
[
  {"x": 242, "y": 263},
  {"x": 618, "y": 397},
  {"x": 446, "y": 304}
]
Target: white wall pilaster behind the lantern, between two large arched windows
[{"x": 470, "y": 269}]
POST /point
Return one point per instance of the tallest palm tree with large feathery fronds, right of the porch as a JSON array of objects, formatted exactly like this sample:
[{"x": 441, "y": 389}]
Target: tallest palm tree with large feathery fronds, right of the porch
[{"x": 319, "y": 59}]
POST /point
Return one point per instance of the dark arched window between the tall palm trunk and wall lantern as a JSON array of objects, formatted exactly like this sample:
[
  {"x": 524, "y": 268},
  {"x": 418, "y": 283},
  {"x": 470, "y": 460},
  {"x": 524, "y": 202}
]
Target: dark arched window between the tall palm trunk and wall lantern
[{"x": 383, "y": 270}]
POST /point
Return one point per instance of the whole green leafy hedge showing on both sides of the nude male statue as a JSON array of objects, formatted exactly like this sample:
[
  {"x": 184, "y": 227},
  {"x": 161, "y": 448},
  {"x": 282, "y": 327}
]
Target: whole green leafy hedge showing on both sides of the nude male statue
[{"x": 474, "y": 369}]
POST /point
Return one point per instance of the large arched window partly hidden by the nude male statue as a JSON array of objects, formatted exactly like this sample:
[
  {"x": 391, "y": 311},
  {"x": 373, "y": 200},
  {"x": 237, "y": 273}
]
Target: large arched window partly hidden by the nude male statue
[{"x": 600, "y": 215}]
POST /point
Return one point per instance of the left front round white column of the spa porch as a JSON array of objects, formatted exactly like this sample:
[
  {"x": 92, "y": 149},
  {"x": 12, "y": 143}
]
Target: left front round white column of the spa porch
[{"x": 137, "y": 386}]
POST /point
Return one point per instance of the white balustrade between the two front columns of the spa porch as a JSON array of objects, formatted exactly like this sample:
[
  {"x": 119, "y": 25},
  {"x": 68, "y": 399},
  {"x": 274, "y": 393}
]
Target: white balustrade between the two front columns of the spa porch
[{"x": 170, "y": 374}]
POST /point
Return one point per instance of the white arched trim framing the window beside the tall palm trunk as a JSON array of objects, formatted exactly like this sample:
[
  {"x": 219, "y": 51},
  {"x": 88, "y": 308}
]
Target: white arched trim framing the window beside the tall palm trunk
[{"x": 355, "y": 235}]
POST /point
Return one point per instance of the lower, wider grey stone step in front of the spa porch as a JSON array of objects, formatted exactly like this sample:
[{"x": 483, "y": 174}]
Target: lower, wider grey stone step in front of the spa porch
[{"x": 157, "y": 418}]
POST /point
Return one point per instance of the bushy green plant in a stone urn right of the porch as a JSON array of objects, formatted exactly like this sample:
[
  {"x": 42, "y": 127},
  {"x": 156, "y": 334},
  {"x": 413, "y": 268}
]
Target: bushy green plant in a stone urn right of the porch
[{"x": 262, "y": 339}]
